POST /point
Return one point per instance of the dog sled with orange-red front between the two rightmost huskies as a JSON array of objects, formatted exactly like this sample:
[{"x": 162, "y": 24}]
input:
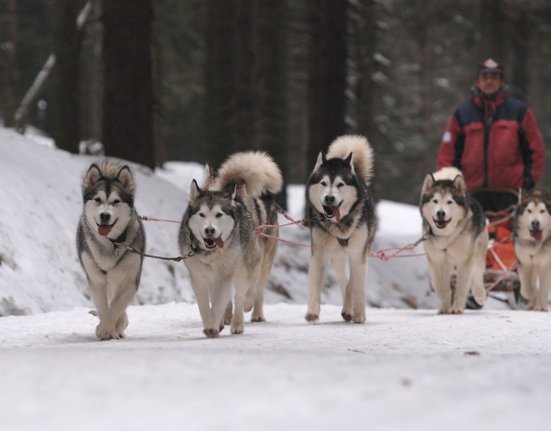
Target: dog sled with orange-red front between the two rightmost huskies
[{"x": 501, "y": 278}]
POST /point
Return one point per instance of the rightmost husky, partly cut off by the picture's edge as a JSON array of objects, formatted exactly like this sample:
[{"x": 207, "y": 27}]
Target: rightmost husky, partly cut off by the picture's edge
[{"x": 532, "y": 241}]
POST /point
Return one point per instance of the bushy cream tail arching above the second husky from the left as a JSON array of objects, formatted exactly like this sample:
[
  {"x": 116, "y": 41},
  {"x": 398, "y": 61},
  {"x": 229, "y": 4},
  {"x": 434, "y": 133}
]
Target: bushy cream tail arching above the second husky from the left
[{"x": 255, "y": 169}]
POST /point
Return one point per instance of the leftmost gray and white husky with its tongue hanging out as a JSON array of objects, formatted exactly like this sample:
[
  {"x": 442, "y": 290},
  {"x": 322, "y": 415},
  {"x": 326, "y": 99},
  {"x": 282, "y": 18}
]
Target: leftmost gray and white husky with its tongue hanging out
[{"x": 109, "y": 217}]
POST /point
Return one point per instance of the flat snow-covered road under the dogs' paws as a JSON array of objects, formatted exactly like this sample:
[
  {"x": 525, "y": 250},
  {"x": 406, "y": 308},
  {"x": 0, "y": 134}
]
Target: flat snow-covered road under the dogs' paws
[{"x": 402, "y": 370}]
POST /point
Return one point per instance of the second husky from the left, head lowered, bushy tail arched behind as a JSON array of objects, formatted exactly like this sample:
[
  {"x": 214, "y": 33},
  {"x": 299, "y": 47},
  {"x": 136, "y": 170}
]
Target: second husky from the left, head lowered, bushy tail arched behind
[{"x": 218, "y": 228}]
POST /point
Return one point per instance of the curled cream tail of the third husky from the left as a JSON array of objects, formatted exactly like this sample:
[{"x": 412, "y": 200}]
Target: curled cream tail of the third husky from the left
[{"x": 362, "y": 154}]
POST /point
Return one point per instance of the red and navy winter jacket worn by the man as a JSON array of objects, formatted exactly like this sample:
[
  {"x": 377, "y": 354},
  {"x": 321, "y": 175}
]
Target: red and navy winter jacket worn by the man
[{"x": 495, "y": 143}]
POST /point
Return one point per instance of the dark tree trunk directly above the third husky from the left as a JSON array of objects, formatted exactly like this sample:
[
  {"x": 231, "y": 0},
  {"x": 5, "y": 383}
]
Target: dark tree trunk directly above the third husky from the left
[{"x": 326, "y": 74}]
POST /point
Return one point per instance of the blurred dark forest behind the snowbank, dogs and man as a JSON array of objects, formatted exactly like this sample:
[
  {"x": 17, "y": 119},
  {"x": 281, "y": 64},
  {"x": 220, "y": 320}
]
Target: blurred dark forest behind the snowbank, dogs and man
[{"x": 196, "y": 80}]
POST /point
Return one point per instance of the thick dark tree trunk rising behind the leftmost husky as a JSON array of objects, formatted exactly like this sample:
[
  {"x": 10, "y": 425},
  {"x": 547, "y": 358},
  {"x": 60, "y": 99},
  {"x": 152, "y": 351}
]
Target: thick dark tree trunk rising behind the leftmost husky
[{"x": 128, "y": 84}]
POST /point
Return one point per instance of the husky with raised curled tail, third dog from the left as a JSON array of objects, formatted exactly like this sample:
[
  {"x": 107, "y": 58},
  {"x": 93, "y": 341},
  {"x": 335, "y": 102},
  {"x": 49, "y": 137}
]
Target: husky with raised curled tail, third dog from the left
[{"x": 341, "y": 214}]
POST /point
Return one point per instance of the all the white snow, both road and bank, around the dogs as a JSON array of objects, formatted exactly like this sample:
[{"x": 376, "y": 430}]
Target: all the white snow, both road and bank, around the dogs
[{"x": 404, "y": 369}]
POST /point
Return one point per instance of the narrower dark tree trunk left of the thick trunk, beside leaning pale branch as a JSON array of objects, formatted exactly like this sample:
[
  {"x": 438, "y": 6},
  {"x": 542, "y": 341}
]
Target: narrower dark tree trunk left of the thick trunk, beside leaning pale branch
[{"x": 66, "y": 130}]
